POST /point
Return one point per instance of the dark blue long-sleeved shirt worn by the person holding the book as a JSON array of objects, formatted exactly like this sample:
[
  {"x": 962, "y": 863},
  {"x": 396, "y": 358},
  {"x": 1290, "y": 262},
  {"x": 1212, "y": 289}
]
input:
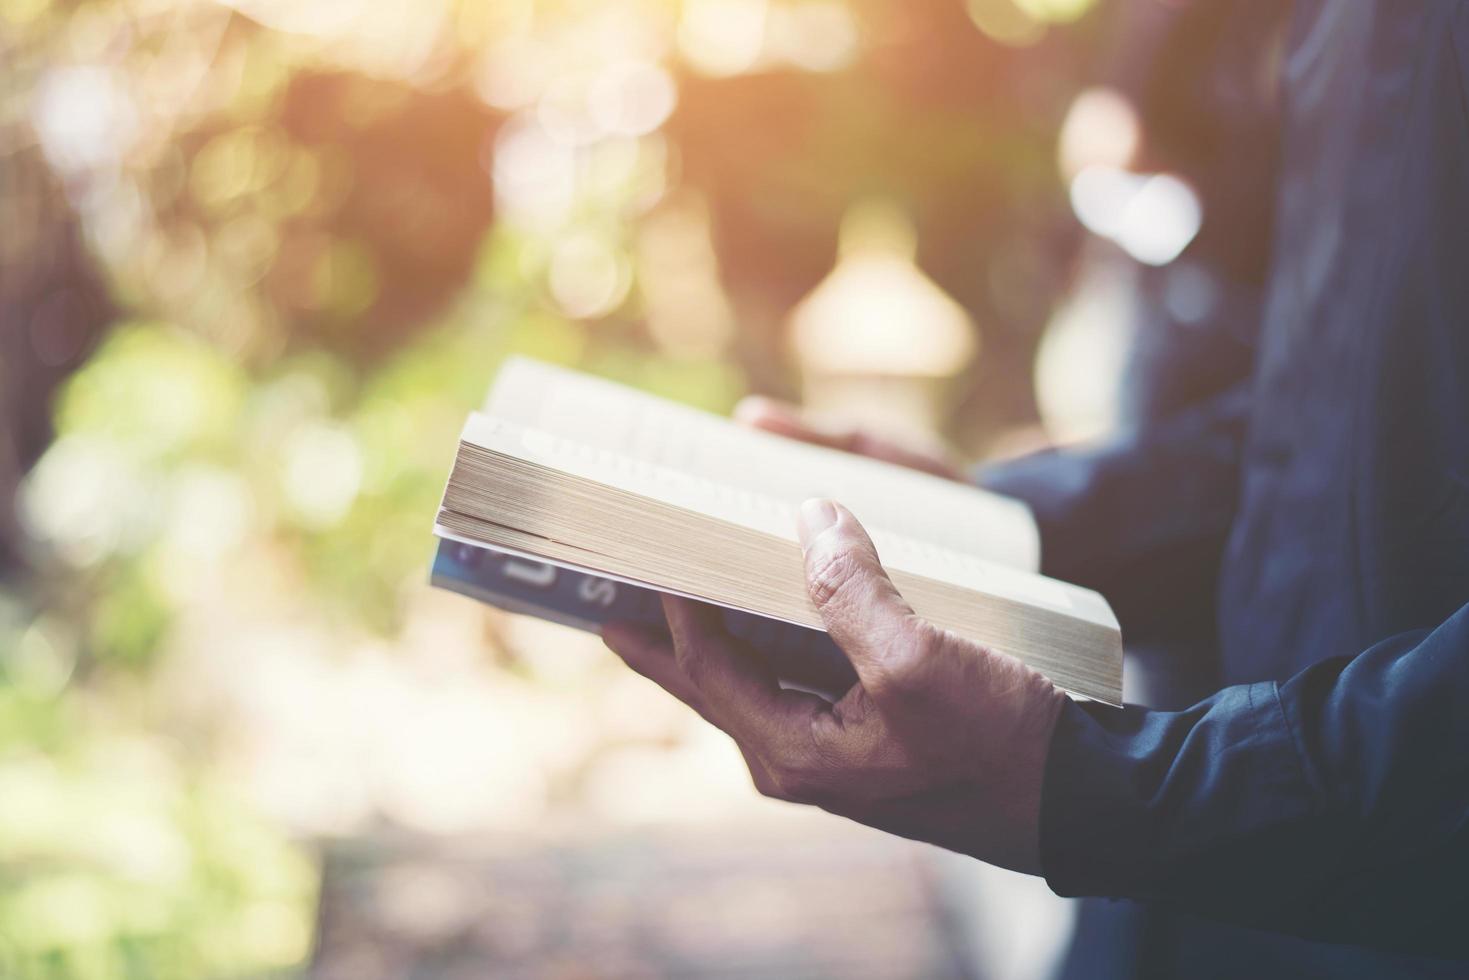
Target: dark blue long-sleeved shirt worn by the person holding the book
[{"x": 1326, "y": 793}]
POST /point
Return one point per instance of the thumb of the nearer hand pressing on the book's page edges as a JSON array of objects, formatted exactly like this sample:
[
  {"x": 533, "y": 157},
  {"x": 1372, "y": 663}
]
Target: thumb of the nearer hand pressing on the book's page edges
[{"x": 859, "y": 603}]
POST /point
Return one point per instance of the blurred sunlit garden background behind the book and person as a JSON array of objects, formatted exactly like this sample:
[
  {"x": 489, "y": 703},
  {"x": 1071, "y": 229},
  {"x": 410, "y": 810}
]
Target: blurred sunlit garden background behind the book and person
[{"x": 259, "y": 259}]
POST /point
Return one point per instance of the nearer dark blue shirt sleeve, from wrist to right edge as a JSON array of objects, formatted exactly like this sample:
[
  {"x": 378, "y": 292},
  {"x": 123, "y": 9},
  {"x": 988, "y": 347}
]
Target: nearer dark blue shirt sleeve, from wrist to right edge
[{"x": 1333, "y": 807}]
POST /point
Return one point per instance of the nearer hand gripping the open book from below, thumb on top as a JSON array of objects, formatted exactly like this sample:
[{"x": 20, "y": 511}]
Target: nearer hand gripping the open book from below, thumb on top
[{"x": 941, "y": 741}]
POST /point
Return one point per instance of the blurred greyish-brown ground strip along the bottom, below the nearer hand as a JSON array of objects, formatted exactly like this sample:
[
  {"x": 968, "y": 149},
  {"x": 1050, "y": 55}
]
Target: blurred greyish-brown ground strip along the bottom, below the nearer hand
[{"x": 825, "y": 900}]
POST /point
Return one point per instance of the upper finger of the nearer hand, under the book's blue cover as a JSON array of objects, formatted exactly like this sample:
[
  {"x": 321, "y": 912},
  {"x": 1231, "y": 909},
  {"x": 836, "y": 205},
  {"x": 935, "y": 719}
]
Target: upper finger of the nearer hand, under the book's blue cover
[{"x": 738, "y": 690}]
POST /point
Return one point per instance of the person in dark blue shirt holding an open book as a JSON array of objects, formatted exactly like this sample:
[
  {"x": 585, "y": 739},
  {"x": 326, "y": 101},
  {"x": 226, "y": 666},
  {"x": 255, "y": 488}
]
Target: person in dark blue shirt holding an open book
[{"x": 1326, "y": 793}]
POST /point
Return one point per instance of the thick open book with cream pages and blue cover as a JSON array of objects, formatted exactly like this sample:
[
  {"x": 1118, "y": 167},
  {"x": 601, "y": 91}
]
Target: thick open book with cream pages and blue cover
[{"x": 580, "y": 500}]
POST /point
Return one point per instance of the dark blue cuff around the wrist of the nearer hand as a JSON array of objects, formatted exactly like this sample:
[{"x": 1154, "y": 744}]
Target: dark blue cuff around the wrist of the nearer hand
[{"x": 1141, "y": 804}]
